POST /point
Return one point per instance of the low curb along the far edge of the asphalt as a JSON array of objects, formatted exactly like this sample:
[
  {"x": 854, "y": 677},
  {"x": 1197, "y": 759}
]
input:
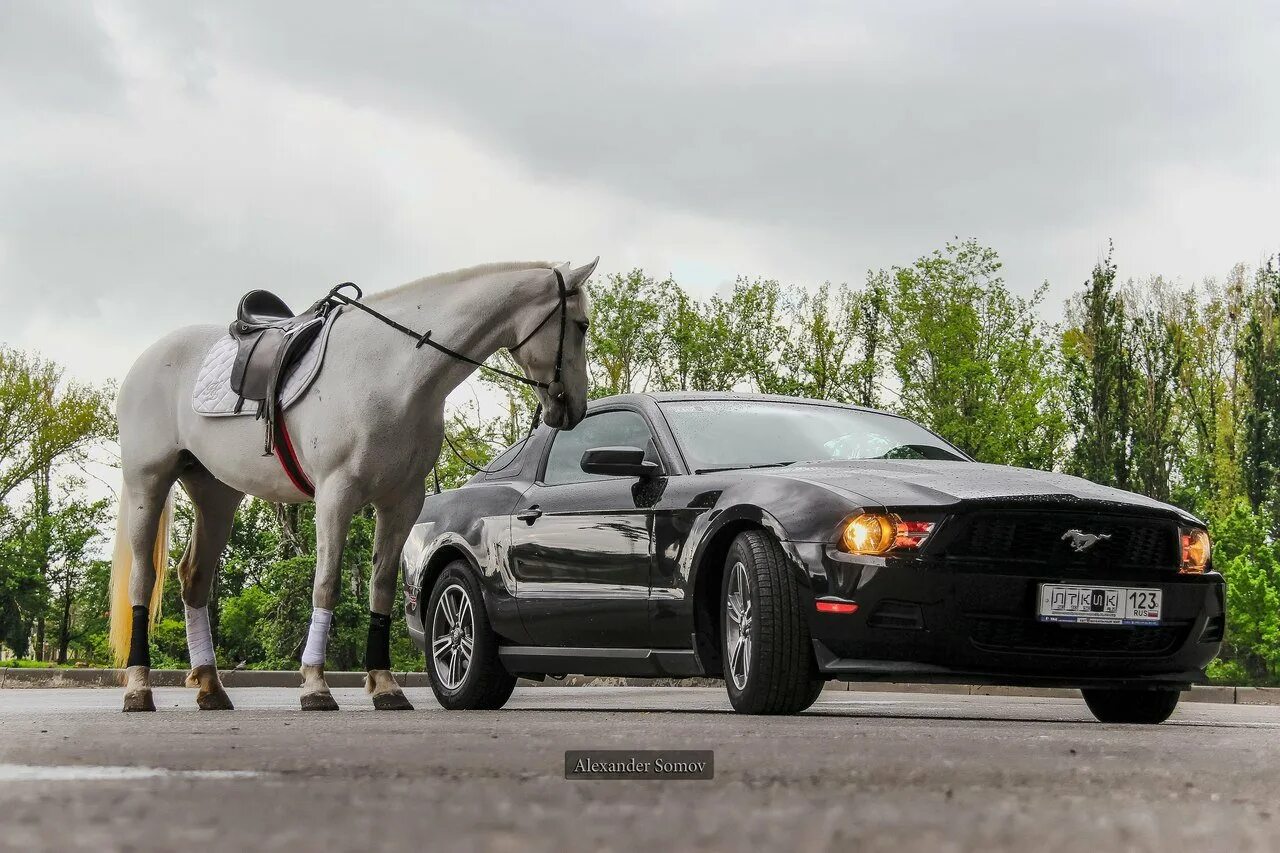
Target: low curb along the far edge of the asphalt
[{"x": 17, "y": 679}]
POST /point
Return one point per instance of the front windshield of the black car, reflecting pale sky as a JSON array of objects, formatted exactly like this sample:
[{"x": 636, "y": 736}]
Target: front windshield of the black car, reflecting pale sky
[{"x": 729, "y": 434}]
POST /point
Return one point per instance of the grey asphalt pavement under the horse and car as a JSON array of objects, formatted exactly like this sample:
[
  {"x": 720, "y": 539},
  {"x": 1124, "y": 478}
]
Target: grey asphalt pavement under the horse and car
[{"x": 867, "y": 772}]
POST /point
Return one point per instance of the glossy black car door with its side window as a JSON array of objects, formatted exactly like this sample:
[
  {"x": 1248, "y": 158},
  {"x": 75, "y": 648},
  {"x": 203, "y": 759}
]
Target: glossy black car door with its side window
[{"x": 582, "y": 545}]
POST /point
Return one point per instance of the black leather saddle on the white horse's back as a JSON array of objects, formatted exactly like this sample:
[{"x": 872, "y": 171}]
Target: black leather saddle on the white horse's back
[{"x": 271, "y": 339}]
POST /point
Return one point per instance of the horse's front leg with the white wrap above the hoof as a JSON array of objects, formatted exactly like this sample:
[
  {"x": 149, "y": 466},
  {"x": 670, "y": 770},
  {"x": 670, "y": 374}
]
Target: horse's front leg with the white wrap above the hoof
[{"x": 335, "y": 510}]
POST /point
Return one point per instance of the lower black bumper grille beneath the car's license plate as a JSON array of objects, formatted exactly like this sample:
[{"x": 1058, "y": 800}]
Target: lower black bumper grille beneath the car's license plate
[{"x": 1028, "y": 636}]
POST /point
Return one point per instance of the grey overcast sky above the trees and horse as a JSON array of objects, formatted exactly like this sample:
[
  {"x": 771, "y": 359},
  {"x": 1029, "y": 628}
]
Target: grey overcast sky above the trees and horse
[{"x": 159, "y": 159}]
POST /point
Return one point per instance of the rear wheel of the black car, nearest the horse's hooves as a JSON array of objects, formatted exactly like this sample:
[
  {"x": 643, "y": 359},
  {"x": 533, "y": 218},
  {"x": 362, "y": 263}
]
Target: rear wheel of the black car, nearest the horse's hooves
[{"x": 481, "y": 683}]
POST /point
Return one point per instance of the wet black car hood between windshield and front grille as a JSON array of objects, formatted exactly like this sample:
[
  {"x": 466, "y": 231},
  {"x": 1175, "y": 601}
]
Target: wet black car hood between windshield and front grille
[{"x": 945, "y": 483}]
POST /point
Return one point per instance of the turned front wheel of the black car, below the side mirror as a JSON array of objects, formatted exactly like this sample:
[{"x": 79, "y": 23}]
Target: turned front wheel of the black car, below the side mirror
[{"x": 780, "y": 676}]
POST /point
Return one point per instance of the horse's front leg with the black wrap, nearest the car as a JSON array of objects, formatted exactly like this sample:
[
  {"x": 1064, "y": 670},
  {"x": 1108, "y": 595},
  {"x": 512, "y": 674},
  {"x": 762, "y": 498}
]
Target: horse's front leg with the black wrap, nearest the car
[{"x": 395, "y": 522}]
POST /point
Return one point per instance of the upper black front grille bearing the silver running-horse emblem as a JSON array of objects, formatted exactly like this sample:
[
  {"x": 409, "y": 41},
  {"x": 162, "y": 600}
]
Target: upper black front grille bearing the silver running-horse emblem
[{"x": 1037, "y": 539}]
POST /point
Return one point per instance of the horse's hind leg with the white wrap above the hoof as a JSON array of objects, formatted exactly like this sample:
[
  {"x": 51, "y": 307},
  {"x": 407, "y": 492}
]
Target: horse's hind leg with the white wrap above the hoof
[{"x": 214, "y": 505}]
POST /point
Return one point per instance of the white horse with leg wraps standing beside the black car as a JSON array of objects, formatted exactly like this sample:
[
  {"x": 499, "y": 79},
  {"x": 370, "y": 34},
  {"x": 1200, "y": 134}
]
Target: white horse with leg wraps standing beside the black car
[{"x": 368, "y": 432}]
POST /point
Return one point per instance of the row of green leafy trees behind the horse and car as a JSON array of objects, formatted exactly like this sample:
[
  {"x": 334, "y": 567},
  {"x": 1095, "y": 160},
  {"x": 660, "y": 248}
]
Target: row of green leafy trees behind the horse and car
[{"x": 1168, "y": 390}]
